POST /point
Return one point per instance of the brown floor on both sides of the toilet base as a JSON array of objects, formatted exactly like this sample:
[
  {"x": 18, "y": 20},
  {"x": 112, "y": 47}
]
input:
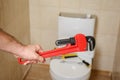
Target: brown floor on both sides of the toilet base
[{"x": 41, "y": 72}]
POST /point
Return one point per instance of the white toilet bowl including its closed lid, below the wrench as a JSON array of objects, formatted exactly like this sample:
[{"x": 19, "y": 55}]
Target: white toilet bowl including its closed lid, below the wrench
[{"x": 69, "y": 69}]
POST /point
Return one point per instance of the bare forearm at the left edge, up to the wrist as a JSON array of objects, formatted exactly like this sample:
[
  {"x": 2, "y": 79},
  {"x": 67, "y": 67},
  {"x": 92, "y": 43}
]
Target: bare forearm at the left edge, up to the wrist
[{"x": 9, "y": 43}]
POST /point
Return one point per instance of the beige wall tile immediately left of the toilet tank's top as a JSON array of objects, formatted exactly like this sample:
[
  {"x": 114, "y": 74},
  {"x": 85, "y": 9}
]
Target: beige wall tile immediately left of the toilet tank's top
[{"x": 44, "y": 17}]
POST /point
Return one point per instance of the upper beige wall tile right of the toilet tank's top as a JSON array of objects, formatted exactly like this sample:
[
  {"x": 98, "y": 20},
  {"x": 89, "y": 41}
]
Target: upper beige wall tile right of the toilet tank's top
[{"x": 108, "y": 23}]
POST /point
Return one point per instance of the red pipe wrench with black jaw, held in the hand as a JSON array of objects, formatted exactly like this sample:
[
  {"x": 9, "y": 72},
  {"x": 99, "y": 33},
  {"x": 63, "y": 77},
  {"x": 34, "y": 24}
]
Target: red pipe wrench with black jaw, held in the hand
[{"x": 78, "y": 43}]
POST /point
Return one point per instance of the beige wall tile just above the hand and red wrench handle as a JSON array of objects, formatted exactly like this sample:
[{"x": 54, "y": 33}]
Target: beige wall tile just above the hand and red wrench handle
[{"x": 45, "y": 37}]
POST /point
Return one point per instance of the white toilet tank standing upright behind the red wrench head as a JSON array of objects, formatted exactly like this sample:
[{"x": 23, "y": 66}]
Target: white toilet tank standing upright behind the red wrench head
[{"x": 70, "y": 24}]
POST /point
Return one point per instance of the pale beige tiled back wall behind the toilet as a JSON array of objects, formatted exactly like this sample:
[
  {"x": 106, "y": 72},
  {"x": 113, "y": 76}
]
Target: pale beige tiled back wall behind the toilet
[{"x": 44, "y": 22}]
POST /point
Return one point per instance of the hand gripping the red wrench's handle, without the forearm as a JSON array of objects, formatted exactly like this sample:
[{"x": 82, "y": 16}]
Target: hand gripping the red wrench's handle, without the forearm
[{"x": 30, "y": 52}]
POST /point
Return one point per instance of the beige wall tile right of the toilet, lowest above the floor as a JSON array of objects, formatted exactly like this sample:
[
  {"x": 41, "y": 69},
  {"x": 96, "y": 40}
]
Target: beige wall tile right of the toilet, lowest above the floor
[{"x": 104, "y": 52}]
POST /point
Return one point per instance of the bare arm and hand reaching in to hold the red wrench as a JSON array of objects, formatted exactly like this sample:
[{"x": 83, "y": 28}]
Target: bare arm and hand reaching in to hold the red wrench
[{"x": 9, "y": 44}]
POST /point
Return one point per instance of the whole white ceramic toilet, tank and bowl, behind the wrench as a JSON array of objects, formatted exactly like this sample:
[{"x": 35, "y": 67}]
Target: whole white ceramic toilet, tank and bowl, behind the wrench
[{"x": 73, "y": 68}]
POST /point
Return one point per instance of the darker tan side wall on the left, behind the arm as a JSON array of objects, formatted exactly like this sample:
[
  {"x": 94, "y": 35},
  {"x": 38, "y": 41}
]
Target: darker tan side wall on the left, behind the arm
[{"x": 14, "y": 19}]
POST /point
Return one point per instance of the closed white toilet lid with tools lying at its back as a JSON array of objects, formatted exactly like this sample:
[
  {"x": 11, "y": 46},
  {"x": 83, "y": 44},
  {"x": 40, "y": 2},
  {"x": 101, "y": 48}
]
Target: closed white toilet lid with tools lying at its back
[{"x": 69, "y": 68}]
